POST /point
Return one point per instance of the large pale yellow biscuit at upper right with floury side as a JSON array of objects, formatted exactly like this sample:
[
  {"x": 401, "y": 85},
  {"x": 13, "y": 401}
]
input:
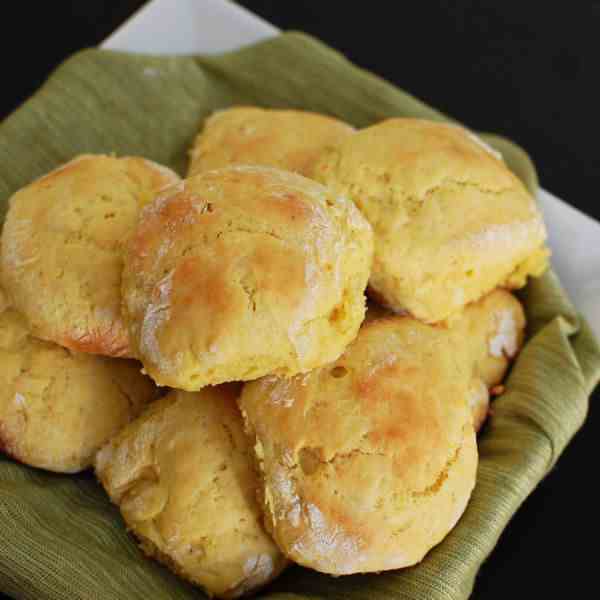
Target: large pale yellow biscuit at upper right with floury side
[{"x": 451, "y": 222}]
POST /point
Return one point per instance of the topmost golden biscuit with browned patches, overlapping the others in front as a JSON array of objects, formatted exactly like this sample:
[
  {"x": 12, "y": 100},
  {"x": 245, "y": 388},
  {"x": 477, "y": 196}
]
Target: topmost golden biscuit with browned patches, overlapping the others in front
[{"x": 241, "y": 272}]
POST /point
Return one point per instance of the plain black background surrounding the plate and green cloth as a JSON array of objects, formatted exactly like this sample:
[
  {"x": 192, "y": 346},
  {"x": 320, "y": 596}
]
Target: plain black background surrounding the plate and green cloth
[{"x": 525, "y": 69}]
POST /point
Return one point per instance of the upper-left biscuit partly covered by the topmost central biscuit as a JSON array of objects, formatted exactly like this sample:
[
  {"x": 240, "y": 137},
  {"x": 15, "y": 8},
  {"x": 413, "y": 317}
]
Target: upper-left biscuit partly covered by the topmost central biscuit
[{"x": 62, "y": 244}]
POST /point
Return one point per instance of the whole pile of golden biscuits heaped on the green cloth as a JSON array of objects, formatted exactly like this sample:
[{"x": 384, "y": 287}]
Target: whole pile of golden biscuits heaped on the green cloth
[{"x": 276, "y": 415}]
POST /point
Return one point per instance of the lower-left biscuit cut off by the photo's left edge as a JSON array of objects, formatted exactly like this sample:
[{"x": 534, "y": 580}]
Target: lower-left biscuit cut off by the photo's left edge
[{"x": 57, "y": 406}]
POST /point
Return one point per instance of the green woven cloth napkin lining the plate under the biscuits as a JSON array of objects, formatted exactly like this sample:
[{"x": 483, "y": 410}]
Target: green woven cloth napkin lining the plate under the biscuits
[{"x": 59, "y": 536}]
